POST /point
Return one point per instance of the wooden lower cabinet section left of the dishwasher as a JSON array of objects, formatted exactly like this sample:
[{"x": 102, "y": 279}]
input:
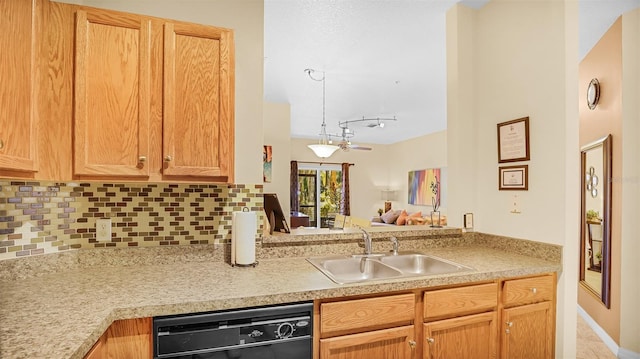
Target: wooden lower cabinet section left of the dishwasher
[{"x": 130, "y": 338}]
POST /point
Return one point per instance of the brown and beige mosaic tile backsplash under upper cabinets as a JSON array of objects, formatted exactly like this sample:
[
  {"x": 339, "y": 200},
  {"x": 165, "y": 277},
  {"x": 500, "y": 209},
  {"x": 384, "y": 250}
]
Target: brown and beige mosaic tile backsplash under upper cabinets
[{"x": 38, "y": 217}]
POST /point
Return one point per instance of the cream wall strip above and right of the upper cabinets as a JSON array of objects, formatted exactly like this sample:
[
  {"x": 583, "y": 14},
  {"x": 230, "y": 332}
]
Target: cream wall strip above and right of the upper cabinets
[{"x": 246, "y": 18}]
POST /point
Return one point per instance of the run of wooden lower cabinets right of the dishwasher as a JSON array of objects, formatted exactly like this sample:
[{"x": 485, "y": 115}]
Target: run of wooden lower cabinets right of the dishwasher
[{"x": 511, "y": 318}]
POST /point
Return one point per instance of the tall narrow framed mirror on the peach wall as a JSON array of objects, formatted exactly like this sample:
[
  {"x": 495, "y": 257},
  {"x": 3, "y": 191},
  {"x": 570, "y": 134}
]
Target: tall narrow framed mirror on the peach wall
[{"x": 595, "y": 229}]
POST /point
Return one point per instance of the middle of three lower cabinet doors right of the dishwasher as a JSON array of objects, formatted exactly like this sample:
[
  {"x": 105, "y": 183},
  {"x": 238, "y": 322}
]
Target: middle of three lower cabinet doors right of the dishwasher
[{"x": 472, "y": 337}]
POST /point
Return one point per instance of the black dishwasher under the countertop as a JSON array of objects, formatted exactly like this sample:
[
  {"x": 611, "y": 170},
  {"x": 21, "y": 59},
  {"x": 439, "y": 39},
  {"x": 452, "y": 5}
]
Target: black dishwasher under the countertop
[{"x": 274, "y": 332}]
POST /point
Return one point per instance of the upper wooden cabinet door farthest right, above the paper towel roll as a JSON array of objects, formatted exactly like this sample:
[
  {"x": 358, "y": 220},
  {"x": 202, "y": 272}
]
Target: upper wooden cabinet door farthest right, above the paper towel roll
[{"x": 198, "y": 101}]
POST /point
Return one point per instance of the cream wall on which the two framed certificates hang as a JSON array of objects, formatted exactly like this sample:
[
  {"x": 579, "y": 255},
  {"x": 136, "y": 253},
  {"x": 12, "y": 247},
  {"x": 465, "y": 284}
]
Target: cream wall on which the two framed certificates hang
[{"x": 504, "y": 65}]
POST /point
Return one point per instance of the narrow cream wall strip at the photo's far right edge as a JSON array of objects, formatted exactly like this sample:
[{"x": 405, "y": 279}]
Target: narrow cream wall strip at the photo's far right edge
[{"x": 630, "y": 181}]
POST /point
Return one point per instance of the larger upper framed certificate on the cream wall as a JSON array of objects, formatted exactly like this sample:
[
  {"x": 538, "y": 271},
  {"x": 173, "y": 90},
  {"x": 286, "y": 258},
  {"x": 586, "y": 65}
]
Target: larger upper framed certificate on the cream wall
[{"x": 513, "y": 140}]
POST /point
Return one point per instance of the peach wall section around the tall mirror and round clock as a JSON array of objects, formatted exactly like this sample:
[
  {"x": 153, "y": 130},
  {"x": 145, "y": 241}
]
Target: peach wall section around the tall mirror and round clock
[{"x": 604, "y": 62}]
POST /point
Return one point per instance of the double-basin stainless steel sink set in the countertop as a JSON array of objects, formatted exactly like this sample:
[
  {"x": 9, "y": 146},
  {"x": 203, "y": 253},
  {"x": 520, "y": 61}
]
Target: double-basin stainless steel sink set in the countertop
[{"x": 362, "y": 268}]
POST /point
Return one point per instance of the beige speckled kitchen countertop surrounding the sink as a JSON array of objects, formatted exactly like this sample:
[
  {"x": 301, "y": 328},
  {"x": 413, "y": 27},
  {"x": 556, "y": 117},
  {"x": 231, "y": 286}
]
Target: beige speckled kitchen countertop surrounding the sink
[{"x": 58, "y": 305}]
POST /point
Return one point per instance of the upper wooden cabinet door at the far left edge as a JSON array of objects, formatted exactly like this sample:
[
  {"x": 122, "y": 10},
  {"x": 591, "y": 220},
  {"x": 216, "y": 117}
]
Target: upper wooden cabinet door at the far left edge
[{"x": 18, "y": 56}]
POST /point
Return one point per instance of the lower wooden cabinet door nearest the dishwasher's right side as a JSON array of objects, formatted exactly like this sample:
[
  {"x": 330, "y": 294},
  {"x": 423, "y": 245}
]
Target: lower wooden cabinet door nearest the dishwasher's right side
[{"x": 394, "y": 343}]
